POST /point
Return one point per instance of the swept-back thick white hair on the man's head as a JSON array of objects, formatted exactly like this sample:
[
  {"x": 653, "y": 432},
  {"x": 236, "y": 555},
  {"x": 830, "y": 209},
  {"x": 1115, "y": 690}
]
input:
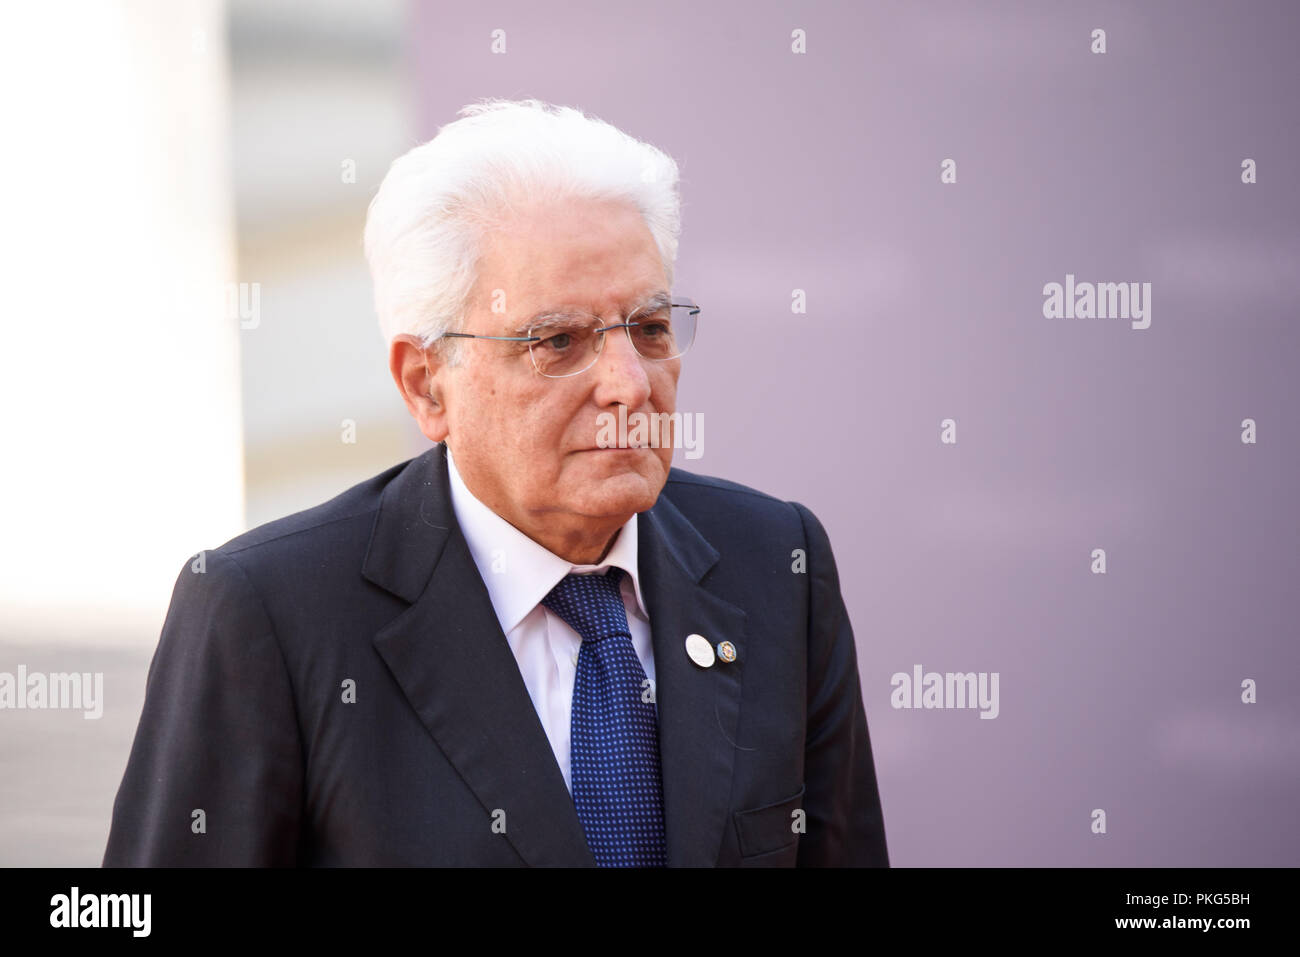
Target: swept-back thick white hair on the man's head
[{"x": 426, "y": 227}]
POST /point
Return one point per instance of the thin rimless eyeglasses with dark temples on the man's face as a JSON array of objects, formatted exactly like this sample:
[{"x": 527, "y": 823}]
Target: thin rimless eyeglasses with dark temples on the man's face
[{"x": 566, "y": 345}]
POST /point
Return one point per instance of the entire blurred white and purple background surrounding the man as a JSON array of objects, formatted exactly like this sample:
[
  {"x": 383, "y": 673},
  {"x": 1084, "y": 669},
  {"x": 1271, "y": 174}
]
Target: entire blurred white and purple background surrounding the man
[{"x": 187, "y": 187}]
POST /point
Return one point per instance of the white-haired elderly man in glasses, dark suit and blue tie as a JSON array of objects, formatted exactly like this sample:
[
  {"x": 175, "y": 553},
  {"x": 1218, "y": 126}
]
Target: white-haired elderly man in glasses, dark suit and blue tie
[{"x": 528, "y": 646}]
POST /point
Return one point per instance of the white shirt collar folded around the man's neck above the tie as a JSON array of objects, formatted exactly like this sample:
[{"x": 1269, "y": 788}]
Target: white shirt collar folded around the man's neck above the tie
[{"x": 518, "y": 571}]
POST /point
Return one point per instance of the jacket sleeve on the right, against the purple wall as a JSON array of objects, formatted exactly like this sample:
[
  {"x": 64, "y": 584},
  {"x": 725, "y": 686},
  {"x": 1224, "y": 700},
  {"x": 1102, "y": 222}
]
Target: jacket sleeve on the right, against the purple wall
[{"x": 846, "y": 826}]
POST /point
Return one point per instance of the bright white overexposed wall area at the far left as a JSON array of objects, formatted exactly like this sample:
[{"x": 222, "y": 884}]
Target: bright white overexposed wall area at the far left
[{"x": 120, "y": 361}]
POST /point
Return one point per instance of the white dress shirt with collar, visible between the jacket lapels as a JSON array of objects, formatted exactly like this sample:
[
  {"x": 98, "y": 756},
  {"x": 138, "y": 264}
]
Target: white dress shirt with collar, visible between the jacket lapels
[{"x": 519, "y": 574}]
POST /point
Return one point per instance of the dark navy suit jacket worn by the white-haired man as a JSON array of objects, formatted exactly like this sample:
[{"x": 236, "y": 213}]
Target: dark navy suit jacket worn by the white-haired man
[{"x": 441, "y": 759}]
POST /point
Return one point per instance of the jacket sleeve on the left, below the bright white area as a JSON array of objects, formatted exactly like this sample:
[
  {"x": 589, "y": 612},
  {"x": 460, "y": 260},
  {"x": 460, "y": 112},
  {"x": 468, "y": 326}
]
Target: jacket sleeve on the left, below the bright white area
[{"x": 219, "y": 735}]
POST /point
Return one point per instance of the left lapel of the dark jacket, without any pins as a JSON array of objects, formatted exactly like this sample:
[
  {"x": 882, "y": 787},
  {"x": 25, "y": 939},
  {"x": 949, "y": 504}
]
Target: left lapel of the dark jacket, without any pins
[{"x": 456, "y": 668}]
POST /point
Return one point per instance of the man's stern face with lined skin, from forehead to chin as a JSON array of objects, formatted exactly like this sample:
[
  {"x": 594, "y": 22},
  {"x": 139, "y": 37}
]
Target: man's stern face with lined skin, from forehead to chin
[{"x": 528, "y": 445}]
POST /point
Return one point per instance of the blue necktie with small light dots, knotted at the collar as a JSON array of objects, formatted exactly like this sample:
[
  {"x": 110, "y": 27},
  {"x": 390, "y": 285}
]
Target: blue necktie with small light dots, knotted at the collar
[{"x": 614, "y": 751}]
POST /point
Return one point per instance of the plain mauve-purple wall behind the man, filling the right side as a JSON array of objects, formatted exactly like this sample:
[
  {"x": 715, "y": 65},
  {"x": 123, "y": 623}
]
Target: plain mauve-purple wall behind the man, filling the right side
[{"x": 925, "y": 302}]
